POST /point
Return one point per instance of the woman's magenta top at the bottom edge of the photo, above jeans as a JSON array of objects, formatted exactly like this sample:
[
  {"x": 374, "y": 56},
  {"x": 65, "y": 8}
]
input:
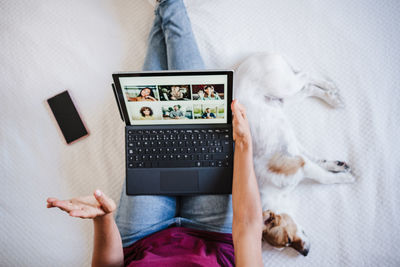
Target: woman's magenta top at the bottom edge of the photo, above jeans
[{"x": 180, "y": 246}]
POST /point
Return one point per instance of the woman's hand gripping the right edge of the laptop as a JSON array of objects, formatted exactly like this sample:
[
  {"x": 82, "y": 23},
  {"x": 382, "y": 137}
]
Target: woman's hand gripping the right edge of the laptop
[{"x": 241, "y": 130}]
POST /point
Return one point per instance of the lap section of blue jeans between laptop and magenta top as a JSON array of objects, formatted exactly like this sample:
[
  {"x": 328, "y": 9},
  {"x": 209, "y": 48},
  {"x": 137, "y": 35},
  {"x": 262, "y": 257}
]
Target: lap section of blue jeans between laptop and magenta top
[{"x": 140, "y": 216}]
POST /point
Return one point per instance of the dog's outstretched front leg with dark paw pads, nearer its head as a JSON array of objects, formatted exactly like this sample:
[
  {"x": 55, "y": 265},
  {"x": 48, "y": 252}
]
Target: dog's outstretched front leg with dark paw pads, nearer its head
[{"x": 328, "y": 172}]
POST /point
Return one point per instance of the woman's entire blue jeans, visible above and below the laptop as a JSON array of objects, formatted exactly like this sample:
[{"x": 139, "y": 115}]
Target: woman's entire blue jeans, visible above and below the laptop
[{"x": 172, "y": 46}]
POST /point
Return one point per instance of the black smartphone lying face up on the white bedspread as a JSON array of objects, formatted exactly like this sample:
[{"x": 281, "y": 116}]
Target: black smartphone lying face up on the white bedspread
[{"x": 67, "y": 117}]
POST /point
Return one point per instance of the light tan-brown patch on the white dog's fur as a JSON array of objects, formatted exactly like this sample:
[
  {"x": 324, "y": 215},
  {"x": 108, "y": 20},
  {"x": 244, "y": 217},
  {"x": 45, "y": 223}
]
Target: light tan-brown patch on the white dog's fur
[{"x": 285, "y": 164}]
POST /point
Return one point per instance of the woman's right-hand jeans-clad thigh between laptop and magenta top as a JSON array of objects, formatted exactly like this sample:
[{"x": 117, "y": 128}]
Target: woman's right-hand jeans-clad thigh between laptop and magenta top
[{"x": 208, "y": 212}]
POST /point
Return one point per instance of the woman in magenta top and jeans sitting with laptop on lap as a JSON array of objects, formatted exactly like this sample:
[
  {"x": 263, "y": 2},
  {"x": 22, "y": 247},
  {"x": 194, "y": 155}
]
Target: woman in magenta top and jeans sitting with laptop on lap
[{"x": 179, "y": 231}]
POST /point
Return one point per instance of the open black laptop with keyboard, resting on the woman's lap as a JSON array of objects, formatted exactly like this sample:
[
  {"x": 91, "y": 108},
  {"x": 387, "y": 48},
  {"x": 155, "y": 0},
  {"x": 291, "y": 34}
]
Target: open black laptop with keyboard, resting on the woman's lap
[{"x": 178, "y": 133}]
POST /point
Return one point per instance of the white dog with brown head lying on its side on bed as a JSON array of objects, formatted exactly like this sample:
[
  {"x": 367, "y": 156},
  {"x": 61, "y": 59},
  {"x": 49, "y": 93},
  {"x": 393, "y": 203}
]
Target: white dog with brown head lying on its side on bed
[{"x": 264, "y": 83}]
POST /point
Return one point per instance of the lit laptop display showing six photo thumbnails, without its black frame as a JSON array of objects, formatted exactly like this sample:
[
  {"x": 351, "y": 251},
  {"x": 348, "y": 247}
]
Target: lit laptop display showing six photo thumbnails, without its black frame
[{"x": 176, "y": 99}]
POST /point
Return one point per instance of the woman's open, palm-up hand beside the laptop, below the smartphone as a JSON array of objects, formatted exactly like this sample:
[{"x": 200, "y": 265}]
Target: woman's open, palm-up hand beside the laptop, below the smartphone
[{"x": 88, "y": 207}]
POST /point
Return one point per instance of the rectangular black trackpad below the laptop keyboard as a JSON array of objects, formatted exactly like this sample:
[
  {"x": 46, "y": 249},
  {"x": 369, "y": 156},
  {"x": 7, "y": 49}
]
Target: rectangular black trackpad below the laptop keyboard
[{"x": 179, "y": 181}]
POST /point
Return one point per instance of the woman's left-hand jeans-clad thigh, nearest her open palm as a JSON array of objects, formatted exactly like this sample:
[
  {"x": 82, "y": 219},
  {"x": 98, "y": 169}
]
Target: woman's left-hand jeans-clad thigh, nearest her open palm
[{"x": 139, "y": 216}]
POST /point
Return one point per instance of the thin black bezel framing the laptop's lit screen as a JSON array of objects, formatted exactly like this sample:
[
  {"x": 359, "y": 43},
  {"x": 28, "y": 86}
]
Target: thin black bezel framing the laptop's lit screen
[{"x": 118, "y": 88}]
